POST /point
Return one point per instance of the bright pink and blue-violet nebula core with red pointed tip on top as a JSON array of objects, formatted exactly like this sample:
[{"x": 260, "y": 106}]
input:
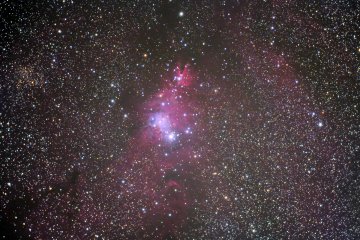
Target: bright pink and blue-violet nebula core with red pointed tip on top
[{"x": 171, "y": 114}]
